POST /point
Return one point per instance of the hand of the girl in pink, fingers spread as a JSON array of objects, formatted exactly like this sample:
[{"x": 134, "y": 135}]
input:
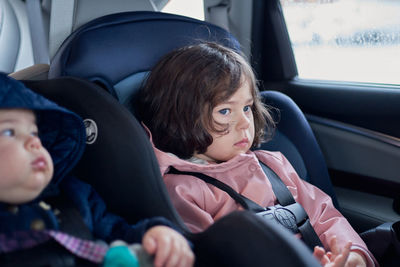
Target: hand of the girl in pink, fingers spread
[{"x": 336, "y": 258}]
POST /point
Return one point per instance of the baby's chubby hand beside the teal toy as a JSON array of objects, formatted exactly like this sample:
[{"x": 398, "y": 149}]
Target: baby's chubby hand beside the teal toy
[{"x": 168, "y": 247}]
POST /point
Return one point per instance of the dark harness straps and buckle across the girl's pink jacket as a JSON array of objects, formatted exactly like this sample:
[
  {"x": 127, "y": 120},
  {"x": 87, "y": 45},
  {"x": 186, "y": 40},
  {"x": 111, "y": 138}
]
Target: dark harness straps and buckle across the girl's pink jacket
[{"x": 281, "y": 213}]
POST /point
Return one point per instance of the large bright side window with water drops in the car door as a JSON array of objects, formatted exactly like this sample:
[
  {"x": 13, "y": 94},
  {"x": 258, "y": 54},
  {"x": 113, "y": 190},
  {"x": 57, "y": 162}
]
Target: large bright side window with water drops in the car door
[{"x": 345, "y": 40}]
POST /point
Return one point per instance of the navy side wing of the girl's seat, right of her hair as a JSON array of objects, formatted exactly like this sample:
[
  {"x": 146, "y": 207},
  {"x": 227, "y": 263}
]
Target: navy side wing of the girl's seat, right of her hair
[{"x": 296, "y": 140}]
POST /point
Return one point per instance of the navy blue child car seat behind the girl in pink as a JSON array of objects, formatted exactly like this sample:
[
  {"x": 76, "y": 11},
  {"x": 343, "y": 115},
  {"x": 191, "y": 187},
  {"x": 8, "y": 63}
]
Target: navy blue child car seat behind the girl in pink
[{"x": 117, "y": 52}]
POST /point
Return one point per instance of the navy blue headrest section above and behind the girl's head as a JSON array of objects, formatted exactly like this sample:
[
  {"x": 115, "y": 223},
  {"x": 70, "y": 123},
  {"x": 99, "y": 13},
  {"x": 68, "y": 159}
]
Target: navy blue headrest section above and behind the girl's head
[{"x": 117, "y": 51}]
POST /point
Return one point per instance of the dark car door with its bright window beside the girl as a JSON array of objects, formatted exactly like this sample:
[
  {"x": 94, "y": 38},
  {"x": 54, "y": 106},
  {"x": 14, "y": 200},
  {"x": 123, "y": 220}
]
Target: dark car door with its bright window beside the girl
[{"x": 339, "y": 61}]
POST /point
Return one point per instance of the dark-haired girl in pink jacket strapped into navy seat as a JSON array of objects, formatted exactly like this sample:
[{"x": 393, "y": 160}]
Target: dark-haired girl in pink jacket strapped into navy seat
[{"x": 201, "y": 105}]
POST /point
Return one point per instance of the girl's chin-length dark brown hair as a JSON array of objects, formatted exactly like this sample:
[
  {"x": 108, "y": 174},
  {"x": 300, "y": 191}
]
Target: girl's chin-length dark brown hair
[{"x": 181, "y": 91}]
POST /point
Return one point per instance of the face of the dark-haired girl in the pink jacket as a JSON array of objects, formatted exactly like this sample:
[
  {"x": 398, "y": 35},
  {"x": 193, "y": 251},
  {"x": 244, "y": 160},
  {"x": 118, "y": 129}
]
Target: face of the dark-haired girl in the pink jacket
[{"x": 237, "y": 113}]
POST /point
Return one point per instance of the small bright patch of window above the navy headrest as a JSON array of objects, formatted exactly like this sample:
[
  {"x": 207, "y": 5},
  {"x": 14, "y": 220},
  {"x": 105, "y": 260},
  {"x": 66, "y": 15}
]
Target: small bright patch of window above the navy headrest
[{"x": 189, "y": 8}]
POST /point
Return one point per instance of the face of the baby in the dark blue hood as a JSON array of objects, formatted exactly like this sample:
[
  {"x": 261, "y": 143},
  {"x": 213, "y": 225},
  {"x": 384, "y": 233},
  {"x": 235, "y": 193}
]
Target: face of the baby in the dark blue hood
[{"x": 26, "y": 167}]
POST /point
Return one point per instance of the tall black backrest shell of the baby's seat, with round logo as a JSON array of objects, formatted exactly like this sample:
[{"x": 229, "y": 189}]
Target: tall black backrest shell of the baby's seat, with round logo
[{"x": 119, "y": 161}]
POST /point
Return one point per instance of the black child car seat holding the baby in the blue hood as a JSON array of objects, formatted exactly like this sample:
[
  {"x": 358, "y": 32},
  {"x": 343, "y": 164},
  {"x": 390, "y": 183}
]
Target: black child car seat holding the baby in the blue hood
[{"x": 120, "y": 164}]
